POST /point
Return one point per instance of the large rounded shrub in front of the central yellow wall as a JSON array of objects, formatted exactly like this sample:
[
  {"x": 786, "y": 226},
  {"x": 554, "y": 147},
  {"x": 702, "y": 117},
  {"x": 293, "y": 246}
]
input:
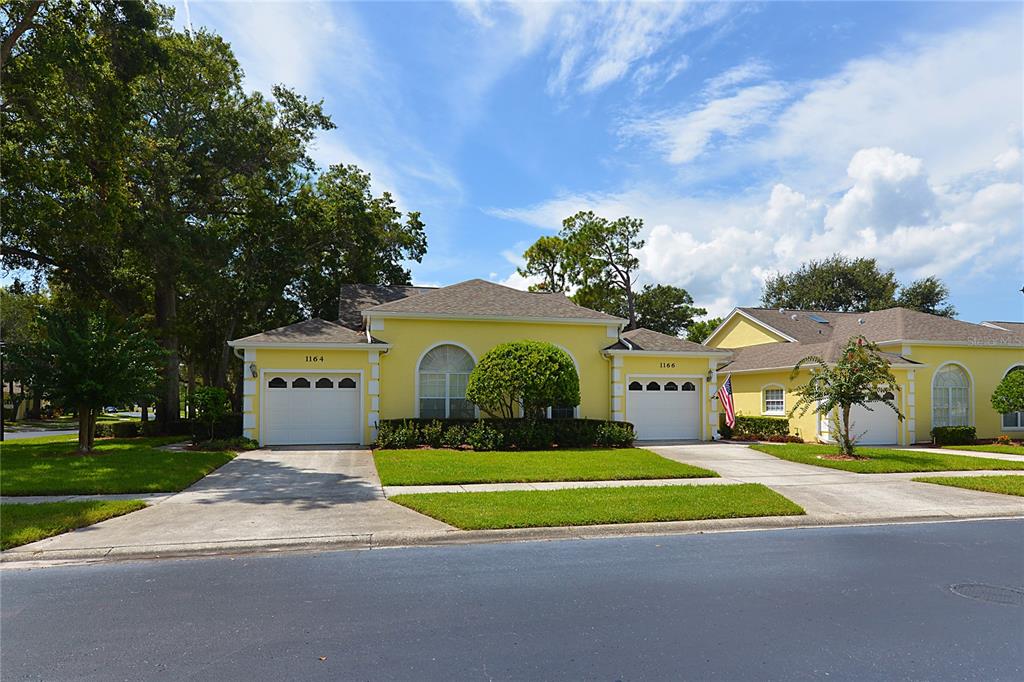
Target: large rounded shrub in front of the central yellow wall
[{"x": 524, "y": 376}]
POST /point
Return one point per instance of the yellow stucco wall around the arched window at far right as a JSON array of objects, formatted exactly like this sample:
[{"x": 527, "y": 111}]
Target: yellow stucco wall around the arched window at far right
[{"x": 986, "y": 368}]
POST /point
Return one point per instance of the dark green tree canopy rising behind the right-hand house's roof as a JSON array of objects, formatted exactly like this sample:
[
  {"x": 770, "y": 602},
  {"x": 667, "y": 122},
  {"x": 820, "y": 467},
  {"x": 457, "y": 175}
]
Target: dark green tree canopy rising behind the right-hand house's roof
[{"x": 854, "y": 285}]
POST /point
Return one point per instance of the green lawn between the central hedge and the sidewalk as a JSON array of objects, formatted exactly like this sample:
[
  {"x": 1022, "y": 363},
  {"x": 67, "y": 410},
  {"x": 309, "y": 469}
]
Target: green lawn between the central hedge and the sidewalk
[{"x": 425, "y": 467}]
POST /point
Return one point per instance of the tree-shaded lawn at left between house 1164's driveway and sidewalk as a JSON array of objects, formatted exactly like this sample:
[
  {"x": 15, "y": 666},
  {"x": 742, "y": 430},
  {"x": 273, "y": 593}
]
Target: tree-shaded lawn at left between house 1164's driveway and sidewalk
[{"x": 51, "y": 465}]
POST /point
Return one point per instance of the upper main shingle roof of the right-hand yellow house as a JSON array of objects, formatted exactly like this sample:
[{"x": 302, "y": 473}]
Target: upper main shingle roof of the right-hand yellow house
[{"x": 888, "y": 325}]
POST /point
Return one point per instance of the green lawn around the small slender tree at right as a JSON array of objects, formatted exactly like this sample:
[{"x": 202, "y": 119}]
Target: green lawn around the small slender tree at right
[{"x": 884, "y": 460}]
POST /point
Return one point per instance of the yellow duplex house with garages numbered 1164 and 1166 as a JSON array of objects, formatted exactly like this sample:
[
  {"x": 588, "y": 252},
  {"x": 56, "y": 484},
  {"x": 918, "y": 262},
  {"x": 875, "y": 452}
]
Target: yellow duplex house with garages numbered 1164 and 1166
[{"x": 408, "y": 352}]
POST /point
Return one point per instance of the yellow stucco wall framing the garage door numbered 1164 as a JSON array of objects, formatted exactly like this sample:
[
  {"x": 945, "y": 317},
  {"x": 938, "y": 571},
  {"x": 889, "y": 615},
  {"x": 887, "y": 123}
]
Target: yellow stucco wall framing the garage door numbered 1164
[{"x": 306, "y": 360}]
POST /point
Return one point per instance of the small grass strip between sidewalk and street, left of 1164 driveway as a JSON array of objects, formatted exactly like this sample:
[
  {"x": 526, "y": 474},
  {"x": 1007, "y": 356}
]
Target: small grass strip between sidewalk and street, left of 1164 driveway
[{"x": 21, "y": 525}]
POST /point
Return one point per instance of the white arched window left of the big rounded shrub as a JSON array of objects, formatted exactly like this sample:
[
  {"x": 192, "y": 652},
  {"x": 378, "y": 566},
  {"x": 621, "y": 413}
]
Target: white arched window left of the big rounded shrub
[{"x": 444, "y": 375}]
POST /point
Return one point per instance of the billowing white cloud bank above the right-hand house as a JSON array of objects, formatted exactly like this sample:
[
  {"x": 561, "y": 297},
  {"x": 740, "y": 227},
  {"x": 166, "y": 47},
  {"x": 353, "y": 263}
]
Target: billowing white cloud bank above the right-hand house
[{"x": 722, "y": 249}]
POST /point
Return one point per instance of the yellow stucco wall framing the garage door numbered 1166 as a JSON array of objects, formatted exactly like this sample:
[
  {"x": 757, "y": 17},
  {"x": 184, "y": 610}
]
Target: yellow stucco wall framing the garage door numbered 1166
[{"x": 685, "y": 368}]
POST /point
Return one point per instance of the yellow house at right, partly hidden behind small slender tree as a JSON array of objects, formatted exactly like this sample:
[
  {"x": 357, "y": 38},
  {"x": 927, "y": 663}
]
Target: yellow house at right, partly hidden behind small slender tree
[{"x": 947, "y": 369}]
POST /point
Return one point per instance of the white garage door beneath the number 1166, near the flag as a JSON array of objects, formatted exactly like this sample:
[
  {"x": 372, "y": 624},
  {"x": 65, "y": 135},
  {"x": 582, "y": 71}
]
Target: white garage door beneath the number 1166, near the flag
[{"x": 664, "y": 409}]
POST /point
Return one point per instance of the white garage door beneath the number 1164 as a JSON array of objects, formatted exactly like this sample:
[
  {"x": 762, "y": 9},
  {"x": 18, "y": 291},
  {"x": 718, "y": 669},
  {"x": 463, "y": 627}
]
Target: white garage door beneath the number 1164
[{"x": 311, "y": 409}]
